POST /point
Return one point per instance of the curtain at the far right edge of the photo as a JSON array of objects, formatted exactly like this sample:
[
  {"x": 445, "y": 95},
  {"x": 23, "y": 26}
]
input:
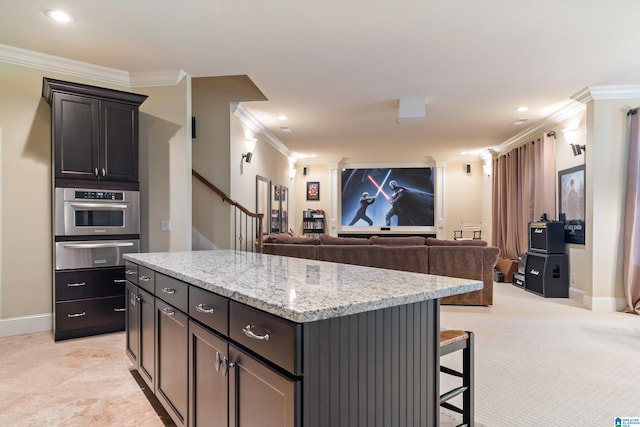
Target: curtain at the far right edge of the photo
[{"x": 632, "y": 219}]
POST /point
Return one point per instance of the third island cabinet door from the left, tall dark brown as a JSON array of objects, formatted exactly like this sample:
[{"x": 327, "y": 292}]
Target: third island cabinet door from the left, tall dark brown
[{"x": 172, "y": 348}]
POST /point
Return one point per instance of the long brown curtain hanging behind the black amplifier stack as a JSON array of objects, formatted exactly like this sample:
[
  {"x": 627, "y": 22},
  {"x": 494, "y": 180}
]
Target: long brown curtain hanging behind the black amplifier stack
[{"x": 523, "y": 189}]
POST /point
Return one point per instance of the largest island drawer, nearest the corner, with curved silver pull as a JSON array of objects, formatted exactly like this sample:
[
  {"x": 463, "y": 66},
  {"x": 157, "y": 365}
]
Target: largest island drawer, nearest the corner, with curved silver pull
[{"x": 276, "y": 339}]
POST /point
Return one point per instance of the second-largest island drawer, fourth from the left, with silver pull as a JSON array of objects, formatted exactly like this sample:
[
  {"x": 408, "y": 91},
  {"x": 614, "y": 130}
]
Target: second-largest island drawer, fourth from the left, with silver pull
[{"x": 209, "y": 309}]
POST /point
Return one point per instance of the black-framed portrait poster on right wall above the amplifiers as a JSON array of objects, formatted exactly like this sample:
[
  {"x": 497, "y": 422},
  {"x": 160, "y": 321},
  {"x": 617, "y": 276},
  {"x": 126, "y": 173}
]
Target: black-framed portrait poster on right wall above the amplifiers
[{"x": 571, "y": 203}]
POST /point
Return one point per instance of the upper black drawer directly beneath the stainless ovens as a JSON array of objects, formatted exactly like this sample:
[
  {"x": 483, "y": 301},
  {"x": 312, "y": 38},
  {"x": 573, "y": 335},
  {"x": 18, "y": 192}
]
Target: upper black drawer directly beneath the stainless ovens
[{"x": 82, "y": 284}]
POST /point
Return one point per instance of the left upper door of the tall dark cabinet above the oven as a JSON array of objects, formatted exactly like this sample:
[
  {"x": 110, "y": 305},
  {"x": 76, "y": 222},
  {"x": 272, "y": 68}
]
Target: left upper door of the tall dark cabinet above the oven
[{"x": 76, "y": 134}]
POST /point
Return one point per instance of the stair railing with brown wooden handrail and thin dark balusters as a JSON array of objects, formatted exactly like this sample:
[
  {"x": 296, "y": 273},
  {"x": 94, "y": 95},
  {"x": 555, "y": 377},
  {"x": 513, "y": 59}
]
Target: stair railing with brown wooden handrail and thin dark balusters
[{"x": 247, "y": 224}]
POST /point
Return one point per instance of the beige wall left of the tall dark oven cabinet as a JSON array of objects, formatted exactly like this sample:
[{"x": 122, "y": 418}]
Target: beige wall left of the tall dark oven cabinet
[{"x": 25, "y": 153}]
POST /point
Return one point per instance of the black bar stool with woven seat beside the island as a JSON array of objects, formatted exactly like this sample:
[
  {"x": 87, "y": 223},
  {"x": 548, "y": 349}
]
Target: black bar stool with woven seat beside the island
[{"x": 451, "y": 341}]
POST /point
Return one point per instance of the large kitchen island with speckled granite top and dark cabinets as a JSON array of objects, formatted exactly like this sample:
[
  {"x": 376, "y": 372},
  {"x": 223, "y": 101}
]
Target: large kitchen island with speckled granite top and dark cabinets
[{"x": 268, "y": 340}]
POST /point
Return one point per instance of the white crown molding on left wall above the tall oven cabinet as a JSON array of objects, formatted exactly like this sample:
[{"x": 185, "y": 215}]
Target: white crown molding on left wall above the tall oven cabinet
[{"x": 42, "y": 61}]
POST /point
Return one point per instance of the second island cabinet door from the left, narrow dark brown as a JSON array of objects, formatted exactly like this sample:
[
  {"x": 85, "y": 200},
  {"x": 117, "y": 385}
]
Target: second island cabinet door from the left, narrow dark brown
[{"x": 147, "y": 328}]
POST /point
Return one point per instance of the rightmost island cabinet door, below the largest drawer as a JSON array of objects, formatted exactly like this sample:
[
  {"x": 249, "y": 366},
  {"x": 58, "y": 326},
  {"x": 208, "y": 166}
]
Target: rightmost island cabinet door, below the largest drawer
[{"x": 260, "y": 396}]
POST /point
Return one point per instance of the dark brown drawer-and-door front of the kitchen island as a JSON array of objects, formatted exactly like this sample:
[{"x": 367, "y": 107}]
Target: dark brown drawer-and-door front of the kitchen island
[{"x": 204, "y": 374}]
